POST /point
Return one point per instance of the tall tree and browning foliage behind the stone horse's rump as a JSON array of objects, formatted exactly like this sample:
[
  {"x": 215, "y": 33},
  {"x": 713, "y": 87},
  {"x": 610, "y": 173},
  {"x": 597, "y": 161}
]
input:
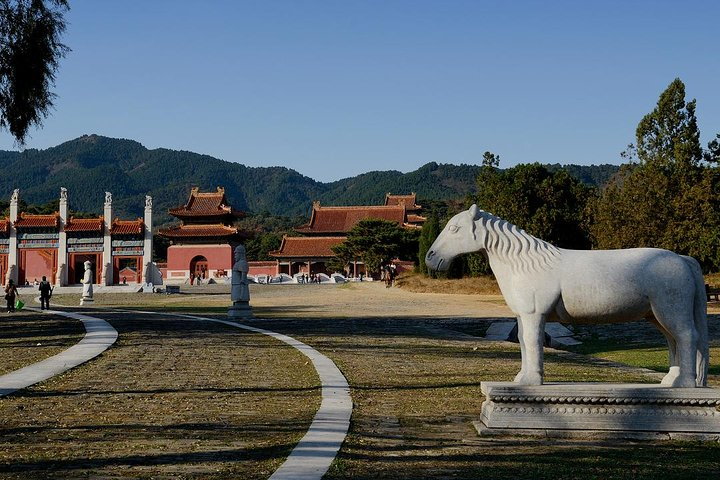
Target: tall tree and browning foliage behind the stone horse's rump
[{"x": 669, "y": 197}]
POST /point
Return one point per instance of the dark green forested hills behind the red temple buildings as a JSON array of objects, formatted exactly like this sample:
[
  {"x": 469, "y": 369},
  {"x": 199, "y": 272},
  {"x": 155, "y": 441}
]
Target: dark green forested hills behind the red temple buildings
[{"x": 91, "y": 165}]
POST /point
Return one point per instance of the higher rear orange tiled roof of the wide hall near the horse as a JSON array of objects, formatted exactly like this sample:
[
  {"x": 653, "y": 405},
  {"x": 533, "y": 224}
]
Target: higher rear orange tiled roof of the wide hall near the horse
[{"x": 326, "y": 220}]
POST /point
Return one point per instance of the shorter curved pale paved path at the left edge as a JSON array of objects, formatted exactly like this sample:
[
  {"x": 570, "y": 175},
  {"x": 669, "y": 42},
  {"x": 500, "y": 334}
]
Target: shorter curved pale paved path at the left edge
[{"x": 100, "y": 335}]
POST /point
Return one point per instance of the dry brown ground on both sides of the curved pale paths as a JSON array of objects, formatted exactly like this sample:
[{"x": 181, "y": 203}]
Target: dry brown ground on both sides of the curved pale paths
[{"x": 179, "y": 399}]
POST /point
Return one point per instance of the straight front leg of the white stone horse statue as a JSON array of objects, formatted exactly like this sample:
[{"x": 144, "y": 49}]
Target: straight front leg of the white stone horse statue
[{"x": 531, "y": 335}]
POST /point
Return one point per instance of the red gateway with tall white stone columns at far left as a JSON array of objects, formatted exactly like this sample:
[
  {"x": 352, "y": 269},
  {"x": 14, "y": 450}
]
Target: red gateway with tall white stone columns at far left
[{"x": 56, "y": 246}]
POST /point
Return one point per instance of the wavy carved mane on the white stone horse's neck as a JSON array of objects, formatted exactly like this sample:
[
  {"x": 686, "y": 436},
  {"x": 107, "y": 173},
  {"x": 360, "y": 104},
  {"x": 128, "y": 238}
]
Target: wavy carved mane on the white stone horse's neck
[{"x": 513, "y": 245}]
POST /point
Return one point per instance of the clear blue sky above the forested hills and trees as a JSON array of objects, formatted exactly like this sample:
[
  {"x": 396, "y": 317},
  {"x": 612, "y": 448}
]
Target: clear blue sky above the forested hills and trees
[{"x": 336, "y": 88}]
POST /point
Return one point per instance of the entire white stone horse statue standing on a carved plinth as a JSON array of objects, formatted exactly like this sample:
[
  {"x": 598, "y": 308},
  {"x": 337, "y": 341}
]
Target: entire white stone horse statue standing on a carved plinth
[{"x": 541, "y": 282}]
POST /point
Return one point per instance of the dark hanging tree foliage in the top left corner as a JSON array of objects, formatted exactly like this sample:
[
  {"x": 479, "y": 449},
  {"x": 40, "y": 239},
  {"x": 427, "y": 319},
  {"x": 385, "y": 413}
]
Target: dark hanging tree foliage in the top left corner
[{"x": 30, "y": 53}]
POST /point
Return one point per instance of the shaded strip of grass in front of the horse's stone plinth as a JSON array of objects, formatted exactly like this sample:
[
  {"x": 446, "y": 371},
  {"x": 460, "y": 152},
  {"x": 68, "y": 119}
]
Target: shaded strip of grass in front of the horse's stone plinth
[{"x": 527, "y": 458}]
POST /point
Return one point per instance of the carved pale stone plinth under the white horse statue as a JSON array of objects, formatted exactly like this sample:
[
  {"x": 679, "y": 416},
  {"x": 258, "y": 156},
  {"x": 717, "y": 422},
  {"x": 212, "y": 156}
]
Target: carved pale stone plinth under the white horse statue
[{"x": 600, "y": 410}]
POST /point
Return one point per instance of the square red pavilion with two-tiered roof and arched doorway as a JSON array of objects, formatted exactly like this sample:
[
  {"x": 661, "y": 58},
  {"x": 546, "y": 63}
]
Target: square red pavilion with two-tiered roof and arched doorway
[{"x": 203, "y": 243}]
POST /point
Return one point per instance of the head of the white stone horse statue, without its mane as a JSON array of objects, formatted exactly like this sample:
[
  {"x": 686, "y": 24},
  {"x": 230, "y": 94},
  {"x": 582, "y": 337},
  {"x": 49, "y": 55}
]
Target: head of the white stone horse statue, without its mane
[{"x": 460, "y": 235}]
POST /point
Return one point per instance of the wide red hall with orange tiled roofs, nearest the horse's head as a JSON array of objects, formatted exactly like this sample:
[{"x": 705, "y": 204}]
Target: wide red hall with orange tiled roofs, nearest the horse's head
[{"x": 329, "y": 226}]
